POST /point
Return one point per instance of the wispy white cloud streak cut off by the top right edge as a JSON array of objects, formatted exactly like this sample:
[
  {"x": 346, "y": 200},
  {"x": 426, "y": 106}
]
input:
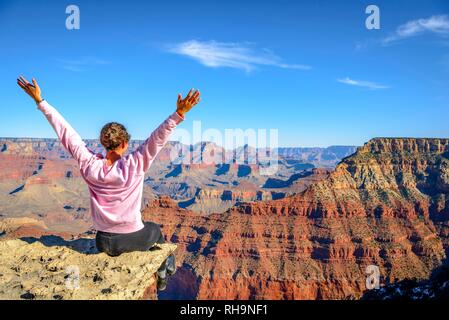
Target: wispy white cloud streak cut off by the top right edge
[{"x": 438, "y": 24}]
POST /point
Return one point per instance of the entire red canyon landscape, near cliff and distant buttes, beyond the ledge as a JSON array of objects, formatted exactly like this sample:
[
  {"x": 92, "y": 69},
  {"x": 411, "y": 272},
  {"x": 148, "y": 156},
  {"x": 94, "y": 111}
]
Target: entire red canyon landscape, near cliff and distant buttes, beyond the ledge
[{"x": 385, "y": 205}]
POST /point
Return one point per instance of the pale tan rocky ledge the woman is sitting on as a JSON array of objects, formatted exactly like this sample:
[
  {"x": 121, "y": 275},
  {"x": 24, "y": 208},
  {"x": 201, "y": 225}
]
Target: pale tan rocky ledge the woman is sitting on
[{"x": 37, "y": 271}]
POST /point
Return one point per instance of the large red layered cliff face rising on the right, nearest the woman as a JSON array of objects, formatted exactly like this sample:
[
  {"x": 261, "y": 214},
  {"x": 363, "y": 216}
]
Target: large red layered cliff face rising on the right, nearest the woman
[{"x": 387, "y": 206}]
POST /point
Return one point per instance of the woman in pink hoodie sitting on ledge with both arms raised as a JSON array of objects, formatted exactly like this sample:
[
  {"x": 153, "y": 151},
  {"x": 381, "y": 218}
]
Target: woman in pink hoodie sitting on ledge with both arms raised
[{"x": 116, "y": 181}]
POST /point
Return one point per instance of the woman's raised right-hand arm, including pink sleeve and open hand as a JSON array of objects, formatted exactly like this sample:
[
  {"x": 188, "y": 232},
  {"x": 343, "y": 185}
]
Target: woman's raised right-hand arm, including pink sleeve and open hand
[{"x": 144, "y": 156}]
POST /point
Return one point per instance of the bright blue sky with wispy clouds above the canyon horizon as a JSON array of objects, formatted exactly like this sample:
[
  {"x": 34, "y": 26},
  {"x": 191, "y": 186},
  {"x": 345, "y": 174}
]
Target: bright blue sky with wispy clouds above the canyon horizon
[{"x": 309, "y": 69}]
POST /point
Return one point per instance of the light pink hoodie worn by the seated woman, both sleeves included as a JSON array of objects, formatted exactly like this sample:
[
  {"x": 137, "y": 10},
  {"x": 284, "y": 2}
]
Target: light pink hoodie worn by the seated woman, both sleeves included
[{"x": 116, "y": 191}]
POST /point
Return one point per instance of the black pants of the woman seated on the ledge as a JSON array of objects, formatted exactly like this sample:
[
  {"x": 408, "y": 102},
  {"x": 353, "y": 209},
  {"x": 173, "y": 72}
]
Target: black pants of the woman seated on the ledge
[{"x": 114, "y": 244}]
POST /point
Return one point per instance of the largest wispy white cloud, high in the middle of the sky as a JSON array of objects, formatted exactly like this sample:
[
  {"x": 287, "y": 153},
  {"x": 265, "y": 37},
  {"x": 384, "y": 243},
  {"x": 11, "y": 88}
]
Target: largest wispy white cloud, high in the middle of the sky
[{"x": 232, "y": 55}]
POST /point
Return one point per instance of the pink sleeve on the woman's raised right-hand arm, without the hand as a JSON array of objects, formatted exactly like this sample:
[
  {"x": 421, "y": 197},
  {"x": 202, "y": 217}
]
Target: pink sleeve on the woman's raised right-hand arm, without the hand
[{"x": 145, "y": 154}]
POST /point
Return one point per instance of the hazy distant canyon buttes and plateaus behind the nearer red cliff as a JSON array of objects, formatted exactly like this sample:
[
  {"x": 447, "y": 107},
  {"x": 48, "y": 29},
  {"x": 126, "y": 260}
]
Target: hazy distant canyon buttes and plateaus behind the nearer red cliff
[{"x": 38, "y": 179}]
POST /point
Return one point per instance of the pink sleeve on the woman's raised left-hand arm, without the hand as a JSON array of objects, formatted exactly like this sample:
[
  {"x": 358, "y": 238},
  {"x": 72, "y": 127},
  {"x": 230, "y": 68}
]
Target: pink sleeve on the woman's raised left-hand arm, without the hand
[{"x": 69, "y": 138}]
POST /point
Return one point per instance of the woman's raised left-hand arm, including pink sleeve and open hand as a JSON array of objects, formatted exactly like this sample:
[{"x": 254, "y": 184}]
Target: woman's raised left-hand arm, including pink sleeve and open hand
[{"x": 69, "y": 138}]
